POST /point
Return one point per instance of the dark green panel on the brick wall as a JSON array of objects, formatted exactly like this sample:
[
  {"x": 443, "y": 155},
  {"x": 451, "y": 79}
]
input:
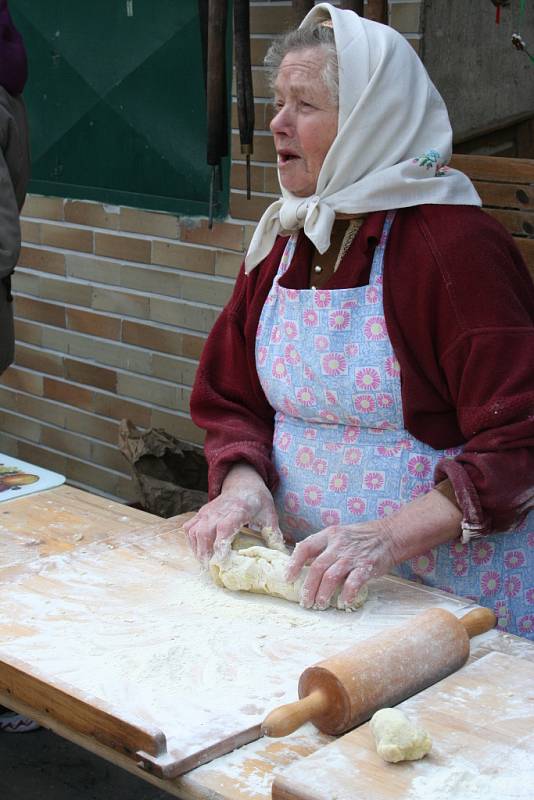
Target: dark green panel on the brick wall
[{"x": 116, "y": 102}]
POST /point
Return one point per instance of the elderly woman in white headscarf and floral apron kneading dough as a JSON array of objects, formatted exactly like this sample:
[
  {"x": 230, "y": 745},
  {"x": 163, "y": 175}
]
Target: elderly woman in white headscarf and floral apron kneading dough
[{"x": 368, "y": 390}]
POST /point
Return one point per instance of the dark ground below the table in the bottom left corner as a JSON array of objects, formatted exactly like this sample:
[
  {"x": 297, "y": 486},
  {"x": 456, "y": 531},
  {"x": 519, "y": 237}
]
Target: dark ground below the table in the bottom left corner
[{"x": 42, "y": 766}]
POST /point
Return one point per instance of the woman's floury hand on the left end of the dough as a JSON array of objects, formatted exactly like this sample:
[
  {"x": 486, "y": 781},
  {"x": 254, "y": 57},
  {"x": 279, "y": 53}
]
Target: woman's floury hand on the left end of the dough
[{"x": 244, "y": 500}]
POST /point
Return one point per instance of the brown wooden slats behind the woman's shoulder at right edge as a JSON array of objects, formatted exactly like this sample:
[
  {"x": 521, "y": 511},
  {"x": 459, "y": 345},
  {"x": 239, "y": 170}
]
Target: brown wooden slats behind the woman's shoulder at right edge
[{"x": 506, "y": 186}]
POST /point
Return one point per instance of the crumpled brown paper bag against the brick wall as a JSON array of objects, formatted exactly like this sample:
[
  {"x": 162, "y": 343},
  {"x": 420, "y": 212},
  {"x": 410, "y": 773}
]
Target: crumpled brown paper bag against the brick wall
[{"x": 171, "y": 476}]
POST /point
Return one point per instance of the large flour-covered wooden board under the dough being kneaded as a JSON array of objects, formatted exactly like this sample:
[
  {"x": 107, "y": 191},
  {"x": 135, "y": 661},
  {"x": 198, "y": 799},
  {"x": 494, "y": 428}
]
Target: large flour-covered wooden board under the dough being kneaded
[{"x": 125, "y": 639}]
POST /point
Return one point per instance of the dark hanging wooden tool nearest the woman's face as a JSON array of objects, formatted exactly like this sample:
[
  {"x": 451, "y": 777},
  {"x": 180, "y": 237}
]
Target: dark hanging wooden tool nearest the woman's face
[{"x": 245, "y": 92}]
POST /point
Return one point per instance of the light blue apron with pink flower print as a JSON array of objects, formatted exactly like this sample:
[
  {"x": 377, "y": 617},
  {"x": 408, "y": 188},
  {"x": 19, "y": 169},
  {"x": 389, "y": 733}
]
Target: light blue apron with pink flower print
[{"x": 328, "y": 369}]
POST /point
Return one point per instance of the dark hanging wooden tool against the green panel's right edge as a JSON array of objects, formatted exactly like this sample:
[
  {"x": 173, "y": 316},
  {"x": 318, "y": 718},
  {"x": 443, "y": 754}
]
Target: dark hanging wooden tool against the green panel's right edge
[{"x": 216, "y": 95}]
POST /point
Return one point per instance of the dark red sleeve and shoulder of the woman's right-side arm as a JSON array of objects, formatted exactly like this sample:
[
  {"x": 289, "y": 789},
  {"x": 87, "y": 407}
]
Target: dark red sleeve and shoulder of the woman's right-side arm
[{"x": 464, "y": 333}]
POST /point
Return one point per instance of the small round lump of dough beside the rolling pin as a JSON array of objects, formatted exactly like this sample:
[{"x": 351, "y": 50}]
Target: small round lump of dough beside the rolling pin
[{"x": 396, "y": 738}]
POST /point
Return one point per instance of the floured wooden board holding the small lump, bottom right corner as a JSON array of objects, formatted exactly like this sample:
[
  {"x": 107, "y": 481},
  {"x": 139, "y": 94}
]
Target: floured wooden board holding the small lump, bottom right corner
[{"x": 481, "y": 721}]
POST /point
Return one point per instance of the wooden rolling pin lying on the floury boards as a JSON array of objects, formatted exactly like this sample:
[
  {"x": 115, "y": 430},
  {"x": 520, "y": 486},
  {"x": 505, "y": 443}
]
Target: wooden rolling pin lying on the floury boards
[{"x": 345, "y": 690}]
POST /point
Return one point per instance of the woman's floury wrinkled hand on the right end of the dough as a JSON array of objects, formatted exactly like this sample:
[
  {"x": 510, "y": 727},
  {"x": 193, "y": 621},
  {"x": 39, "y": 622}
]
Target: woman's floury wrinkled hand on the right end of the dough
[{"x": 342, "y": 554}]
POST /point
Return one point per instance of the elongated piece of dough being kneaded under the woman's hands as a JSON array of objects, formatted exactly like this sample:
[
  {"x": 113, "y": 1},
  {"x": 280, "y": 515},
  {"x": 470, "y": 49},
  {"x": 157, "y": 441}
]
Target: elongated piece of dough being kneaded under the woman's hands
[{"x": 262, "y": 570}]
